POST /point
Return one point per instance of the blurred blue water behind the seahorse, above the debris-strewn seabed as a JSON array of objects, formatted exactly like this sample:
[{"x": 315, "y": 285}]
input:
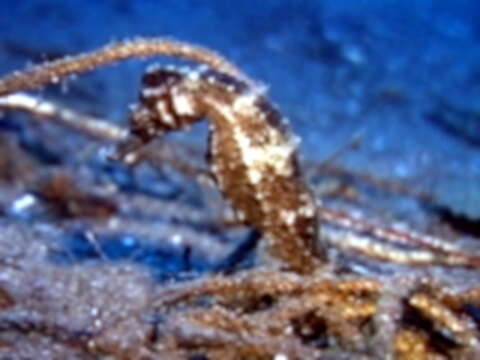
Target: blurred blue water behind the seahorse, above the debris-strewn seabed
[{"x": 384, "y": 88}]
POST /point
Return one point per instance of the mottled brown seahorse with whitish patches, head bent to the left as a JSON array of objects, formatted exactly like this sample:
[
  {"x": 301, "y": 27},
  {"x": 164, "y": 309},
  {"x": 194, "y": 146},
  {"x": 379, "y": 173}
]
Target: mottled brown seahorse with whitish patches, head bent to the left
[{"x": 252, "y": 156}]
